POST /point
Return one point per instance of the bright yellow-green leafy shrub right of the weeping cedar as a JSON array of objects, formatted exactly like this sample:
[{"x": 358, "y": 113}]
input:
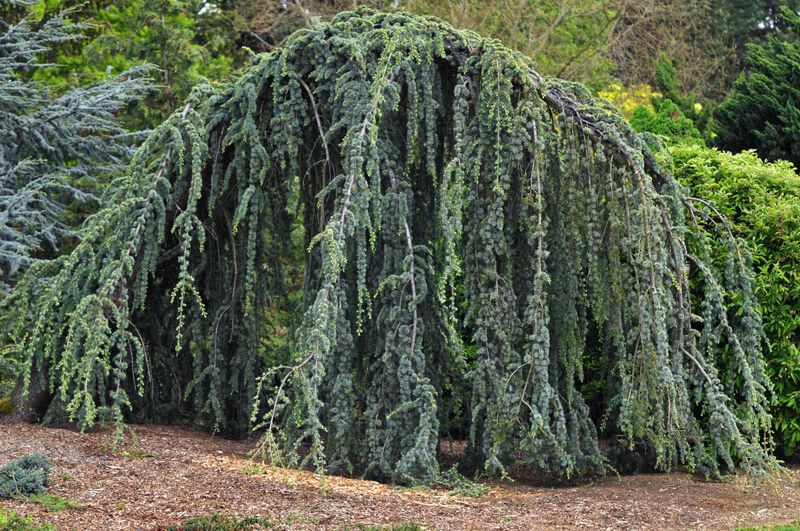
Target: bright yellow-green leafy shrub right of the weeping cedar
[{"x": 762, "y": 203}]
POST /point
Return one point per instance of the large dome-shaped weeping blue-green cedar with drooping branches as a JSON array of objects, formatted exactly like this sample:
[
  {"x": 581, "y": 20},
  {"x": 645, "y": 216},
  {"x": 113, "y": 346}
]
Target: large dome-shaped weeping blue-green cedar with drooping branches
[{"x": 472, "y": 234}]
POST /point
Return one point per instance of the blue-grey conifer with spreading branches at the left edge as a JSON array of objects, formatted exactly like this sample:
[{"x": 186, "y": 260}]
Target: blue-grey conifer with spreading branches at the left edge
[{"x": 53, "y": 147}]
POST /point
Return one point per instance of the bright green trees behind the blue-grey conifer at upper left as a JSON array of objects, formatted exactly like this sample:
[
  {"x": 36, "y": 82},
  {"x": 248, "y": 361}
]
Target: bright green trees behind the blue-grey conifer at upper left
[{"x": 185, "y": 40}]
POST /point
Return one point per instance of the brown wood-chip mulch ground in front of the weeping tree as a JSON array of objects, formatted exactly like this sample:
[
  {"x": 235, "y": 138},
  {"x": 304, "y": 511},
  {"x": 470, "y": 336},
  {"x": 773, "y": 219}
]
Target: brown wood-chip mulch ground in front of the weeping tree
[{"x": 172, "y": 474}]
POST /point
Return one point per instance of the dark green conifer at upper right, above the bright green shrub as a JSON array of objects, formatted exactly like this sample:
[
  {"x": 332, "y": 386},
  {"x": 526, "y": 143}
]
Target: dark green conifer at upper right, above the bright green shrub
[{"x": 762, "y": 111}]
